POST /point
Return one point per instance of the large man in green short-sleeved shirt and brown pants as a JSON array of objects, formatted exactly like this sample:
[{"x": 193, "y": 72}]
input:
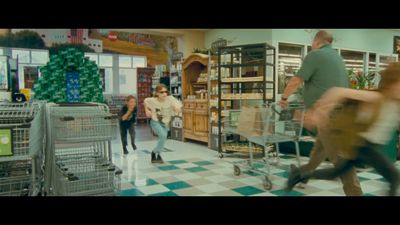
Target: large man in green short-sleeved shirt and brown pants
[{"x": 322, "y": 69}]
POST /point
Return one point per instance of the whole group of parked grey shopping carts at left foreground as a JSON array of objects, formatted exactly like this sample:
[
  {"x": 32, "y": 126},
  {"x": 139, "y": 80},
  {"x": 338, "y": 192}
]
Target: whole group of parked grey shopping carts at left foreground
[{"x": 57, "y": 149}]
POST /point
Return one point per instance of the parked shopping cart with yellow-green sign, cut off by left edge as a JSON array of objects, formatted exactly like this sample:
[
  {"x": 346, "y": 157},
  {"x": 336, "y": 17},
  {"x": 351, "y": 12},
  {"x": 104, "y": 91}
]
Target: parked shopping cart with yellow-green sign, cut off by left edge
[{"x": 21, "y": 148}]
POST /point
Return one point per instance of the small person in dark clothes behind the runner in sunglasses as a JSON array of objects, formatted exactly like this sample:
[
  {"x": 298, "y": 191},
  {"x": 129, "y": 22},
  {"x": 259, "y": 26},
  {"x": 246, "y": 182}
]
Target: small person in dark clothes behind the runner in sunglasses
[{"x": 127, "y": 119}]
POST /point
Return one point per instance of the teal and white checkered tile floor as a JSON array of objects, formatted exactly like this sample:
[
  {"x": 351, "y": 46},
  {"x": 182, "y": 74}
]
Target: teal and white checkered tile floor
[{"x": 193, "y": 170}]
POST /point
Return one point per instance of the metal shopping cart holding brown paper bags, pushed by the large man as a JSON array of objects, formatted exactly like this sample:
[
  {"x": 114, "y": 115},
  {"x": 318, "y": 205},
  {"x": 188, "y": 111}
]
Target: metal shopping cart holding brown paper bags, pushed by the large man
[{"x": 276, "y": 125}]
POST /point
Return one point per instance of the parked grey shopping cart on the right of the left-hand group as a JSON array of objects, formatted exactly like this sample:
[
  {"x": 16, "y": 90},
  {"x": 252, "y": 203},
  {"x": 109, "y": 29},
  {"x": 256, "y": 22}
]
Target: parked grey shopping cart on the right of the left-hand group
[{"x": 78, "y": 156}]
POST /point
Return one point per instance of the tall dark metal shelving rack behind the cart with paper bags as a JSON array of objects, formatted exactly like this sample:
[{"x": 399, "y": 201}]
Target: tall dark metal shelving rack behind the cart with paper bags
[{"x": 246, "y": 76}]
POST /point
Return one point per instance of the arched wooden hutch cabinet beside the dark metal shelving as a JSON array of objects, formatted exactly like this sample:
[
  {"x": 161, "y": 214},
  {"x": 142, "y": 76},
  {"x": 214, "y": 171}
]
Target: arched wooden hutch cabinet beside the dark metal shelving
[{"x": 195, "y": 111}]
